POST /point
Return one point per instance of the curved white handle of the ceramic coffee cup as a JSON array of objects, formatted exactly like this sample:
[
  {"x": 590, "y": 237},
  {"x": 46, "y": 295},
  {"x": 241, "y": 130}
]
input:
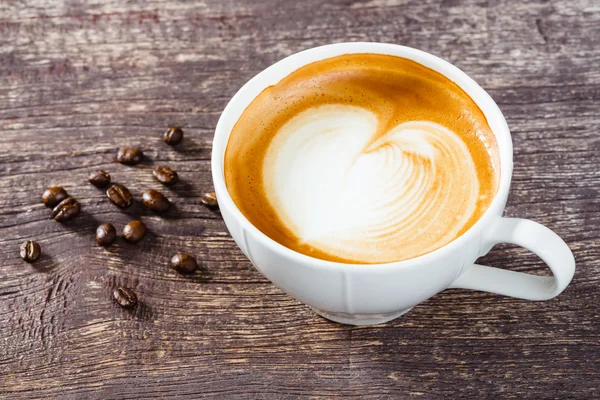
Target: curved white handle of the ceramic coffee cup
[{"x": 536, "y": 238}]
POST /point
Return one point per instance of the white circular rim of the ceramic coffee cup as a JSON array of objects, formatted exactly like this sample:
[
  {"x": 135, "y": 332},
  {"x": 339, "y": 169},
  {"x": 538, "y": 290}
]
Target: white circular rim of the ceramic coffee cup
[{"x": 286, "y": 66}]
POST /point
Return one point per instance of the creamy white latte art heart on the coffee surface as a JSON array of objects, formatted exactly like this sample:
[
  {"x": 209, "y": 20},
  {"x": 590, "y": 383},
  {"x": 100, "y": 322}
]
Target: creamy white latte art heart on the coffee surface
[{"x": 346, "y": 192}]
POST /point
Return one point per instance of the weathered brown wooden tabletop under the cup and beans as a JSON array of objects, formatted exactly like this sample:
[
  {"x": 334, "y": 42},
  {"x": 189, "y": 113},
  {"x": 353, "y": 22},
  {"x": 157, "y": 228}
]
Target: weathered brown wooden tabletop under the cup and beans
[{"x": 78, "y": 79}]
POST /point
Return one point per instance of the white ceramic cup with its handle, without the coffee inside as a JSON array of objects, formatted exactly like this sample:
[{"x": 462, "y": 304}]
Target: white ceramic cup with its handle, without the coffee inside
[{"x": 371, "y": 294}]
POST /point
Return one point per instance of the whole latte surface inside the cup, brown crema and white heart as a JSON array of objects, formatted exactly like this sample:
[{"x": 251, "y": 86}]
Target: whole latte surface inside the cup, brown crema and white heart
[{"x": 362, "y": 158}]
